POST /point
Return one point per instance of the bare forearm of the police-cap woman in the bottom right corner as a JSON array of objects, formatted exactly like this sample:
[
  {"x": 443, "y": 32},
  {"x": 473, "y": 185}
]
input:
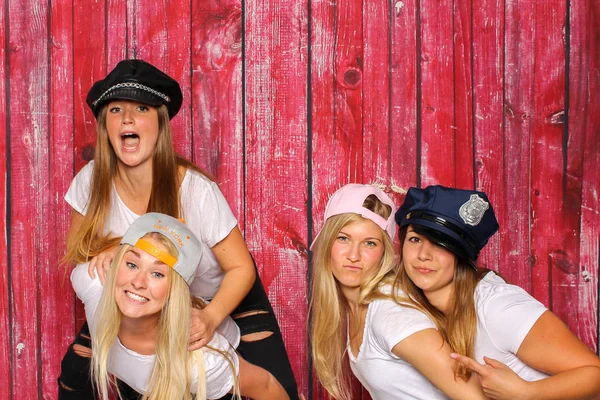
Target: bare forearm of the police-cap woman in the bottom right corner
[{"x": 576, "y": 384}]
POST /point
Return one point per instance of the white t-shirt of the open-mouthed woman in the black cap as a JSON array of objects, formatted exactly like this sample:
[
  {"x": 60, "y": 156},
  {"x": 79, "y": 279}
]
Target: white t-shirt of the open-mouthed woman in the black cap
[{"x": 205, "y": 212}]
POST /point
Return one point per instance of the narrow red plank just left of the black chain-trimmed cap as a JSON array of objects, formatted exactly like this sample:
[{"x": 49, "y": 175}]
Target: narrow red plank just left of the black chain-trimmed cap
[{"x": 57, "y": 317}]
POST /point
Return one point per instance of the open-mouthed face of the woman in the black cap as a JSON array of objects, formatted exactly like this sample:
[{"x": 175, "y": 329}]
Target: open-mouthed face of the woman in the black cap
[{"x": 132, "y": 131}]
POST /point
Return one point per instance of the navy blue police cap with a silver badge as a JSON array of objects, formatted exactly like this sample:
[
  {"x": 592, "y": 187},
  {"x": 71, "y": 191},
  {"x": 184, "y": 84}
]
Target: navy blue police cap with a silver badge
[{"x": 460, "y": 220}]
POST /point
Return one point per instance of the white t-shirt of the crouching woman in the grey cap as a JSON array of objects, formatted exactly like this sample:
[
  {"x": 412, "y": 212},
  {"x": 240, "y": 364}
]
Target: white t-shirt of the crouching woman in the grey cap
[{"x": 135, "y": 369}]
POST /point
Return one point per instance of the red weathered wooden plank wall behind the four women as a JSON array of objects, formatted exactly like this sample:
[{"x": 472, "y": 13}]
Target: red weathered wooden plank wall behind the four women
[{"x": 285, "y": 101}]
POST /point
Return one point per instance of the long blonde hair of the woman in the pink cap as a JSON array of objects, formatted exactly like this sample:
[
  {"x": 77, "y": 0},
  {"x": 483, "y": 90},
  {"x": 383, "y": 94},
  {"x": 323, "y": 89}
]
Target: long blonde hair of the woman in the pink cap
[{"x": 329, "y": 308}]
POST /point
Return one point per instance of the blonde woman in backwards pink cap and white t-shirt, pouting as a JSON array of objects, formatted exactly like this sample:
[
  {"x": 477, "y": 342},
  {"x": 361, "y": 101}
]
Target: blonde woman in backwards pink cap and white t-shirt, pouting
[{"x": 359, "y": 323}]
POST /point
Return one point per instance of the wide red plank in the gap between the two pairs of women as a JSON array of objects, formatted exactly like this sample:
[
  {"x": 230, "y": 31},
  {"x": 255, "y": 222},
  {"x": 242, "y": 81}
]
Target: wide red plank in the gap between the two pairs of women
[{"x": 276, "y": 156}]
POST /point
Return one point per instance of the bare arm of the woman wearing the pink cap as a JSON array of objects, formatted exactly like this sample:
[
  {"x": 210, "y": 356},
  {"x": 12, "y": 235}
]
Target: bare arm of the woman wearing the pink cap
[{"x": 427, "y": 351}]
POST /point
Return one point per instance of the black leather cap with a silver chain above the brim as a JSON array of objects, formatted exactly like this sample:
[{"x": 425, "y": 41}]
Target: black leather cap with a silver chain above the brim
[{"x": 139, "y": 81}]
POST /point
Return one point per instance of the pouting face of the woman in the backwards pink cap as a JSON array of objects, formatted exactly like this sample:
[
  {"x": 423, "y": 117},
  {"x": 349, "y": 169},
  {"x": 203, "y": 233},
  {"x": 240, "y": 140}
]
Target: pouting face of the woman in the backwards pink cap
[{"x": 355, "y": 255}]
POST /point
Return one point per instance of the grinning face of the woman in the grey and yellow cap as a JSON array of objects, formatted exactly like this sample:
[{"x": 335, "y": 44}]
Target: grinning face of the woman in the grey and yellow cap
[{"x": 142, "y": 283}]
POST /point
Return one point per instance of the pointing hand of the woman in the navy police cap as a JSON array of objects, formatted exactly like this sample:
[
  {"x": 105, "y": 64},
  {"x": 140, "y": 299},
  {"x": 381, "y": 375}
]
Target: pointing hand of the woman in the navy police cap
[{"x": 497, "y": 380}]
